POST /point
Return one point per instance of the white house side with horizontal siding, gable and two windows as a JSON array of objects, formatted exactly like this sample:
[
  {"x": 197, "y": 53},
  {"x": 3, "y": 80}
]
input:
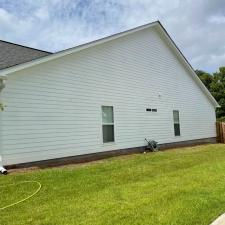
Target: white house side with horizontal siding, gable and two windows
[{"x": 106, "y": 95}]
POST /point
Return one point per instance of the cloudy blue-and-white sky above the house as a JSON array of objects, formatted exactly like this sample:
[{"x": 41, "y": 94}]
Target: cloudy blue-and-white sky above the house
[{"x": 196, "y": 26}]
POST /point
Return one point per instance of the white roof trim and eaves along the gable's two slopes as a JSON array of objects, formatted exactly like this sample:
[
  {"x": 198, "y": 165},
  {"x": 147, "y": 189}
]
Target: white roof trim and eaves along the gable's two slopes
[{"x": 155, "y": 24}]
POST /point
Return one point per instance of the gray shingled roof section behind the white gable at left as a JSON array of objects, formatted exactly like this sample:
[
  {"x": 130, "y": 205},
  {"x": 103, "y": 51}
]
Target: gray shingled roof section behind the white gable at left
[{"x": 13, "y": 54}]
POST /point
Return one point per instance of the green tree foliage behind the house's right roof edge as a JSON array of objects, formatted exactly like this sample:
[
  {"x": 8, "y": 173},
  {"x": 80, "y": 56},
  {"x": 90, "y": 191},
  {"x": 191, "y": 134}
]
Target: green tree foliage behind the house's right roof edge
[{"x": 216, "y": 85}]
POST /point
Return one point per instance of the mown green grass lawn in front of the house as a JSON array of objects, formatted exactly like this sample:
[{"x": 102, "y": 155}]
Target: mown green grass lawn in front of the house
[{"x": 182, "y": 186}]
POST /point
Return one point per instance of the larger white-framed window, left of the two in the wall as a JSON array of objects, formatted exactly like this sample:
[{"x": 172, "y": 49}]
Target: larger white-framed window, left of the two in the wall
[{"x": 107, "y": 124}]
